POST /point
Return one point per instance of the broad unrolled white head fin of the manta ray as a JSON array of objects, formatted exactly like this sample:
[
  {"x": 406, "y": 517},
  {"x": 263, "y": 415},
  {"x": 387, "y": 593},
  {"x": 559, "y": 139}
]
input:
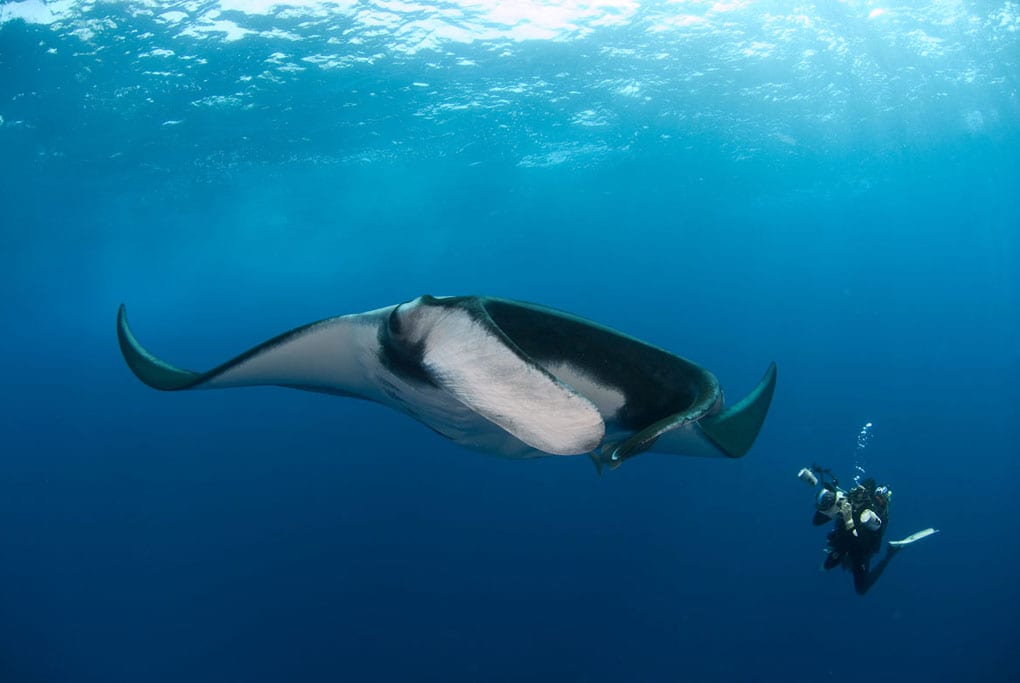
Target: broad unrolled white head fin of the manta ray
[{"x": 470, "y": 357}]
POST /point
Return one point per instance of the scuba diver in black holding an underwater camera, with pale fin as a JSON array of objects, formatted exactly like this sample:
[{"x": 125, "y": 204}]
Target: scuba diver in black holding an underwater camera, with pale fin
[{"x": 861, "y": 516}]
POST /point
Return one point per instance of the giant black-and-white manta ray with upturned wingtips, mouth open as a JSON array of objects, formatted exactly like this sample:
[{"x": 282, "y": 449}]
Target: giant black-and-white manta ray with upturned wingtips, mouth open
[{"x": 502, "y": 377}]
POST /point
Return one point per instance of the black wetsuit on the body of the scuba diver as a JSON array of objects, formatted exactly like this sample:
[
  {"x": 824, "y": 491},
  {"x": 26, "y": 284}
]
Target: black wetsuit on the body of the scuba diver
[{"x": 856, "y": 552}]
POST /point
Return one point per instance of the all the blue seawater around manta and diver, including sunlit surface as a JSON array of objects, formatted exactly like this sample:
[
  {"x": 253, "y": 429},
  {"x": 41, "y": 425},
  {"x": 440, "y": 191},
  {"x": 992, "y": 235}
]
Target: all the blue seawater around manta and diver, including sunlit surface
[{"x": 831, "y": 186}]
